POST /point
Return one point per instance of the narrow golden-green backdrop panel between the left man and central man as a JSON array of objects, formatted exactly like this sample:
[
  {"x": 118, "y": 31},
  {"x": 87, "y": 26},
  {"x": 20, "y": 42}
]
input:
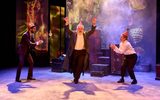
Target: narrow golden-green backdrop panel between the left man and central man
[{"x": 56, "y": 34}]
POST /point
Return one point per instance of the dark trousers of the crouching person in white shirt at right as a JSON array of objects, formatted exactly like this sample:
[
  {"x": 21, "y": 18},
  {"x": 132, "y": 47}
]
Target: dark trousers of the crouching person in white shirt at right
[{"x": 129, "y": 63}]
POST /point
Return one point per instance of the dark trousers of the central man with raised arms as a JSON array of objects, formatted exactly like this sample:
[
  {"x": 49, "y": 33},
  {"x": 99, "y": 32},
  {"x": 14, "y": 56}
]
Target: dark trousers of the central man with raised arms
[{"x": 77, "y": 63}]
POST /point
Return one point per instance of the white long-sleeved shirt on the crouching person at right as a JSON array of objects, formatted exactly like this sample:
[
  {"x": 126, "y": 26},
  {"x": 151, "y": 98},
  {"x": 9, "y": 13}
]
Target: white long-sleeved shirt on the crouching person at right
[{"x": 125, "y": 48}]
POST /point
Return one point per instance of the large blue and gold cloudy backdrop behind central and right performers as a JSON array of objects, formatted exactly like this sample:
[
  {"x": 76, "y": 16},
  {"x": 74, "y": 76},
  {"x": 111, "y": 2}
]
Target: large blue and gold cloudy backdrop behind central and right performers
[{"x": 113, "y": 17}]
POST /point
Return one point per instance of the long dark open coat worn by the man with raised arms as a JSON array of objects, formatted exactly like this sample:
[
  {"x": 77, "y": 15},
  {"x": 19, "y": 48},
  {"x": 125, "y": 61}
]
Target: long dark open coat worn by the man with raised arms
[{"x": 72, "y": 42}]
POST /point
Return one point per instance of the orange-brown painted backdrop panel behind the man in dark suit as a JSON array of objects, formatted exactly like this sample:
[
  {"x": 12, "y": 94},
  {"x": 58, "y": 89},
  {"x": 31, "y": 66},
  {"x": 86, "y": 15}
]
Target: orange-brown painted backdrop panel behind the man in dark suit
[{"x": 35, "y": 11}]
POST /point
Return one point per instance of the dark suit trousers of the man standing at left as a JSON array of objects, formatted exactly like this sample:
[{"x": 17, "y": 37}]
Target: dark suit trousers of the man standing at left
[{"x": 21, "y": 63}]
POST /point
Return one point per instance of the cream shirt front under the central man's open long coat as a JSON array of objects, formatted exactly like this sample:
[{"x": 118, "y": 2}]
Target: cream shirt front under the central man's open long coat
[{"x": 79, "y": 42}]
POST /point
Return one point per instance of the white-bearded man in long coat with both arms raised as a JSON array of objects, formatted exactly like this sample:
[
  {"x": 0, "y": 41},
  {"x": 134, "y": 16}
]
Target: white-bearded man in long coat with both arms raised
[{"x": 78, "y": 48}]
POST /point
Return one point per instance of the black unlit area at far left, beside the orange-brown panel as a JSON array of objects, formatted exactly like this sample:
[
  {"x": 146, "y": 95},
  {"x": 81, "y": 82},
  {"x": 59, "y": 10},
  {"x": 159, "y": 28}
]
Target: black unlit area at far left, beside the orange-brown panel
[{"x": 8, "y": 34}]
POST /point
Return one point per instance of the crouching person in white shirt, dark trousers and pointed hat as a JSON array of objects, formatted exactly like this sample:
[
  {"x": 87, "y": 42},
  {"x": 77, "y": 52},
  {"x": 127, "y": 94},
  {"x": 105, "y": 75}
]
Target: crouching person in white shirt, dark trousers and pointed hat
[{"x": 130, "y": 57}]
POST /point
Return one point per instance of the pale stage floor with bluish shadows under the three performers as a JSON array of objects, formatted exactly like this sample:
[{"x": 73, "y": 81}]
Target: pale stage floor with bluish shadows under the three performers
[{"x": 59, "y": 86}]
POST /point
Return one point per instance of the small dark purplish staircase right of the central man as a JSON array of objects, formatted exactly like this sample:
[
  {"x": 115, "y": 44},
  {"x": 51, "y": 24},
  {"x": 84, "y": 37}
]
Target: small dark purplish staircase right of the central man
[{"x": 102, "y": 66}]
